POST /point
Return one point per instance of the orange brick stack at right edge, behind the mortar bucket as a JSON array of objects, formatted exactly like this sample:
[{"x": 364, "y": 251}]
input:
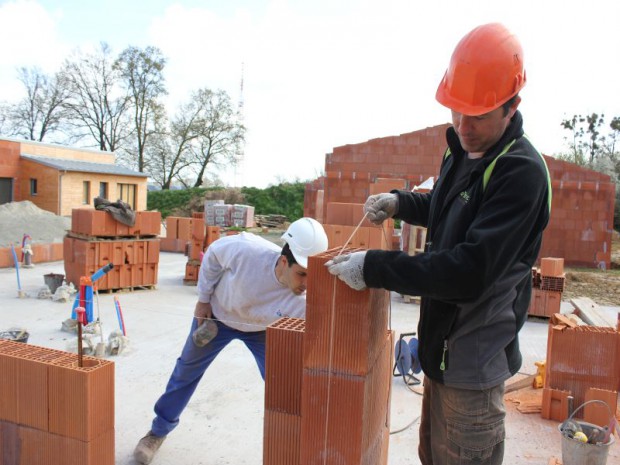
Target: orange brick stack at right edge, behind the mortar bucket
[{"x": 583, "y": 361}]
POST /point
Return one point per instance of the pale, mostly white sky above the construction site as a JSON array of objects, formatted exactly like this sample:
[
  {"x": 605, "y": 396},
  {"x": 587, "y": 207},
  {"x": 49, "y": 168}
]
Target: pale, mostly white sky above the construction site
[{"x": 319, "y": 74}]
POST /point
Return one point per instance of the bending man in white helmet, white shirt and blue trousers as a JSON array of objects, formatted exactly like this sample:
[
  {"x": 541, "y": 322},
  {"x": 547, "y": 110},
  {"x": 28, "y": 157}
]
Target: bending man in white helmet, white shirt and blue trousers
[{"x": 245, "y": 283}]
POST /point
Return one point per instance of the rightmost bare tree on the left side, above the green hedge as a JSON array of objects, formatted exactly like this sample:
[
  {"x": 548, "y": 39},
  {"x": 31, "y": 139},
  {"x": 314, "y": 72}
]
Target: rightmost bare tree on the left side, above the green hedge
[{"x": 219, "y": 134}]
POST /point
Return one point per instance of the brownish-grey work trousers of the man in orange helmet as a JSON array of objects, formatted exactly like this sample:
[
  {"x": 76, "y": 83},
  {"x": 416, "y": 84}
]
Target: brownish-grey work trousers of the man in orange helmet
[{"x": 461, "y": 426}]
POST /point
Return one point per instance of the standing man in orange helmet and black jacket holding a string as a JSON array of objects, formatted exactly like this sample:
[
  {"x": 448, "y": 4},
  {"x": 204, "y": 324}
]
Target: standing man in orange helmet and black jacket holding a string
[{"x": 485, "y": 218}]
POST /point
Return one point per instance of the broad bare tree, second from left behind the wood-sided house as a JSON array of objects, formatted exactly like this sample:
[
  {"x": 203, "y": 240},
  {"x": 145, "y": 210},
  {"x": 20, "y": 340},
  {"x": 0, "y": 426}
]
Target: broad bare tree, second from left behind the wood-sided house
[{"x": 98, "y": 106}]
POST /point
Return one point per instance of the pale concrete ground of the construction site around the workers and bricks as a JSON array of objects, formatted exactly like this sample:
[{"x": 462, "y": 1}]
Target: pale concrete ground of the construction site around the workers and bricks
[{"x": 223, "y": 423}]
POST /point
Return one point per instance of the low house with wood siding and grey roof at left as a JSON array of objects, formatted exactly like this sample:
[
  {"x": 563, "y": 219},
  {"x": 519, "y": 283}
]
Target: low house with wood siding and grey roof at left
[{"x": 58, "y": 178}]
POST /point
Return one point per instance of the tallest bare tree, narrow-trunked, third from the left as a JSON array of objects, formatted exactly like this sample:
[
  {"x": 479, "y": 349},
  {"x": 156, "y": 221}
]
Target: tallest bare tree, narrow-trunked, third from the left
[{"x": 141, "y": 72}]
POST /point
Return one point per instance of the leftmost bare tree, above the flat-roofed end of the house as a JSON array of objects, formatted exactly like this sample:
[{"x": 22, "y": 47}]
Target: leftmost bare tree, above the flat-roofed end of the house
[{"x": 41, "y": 112}]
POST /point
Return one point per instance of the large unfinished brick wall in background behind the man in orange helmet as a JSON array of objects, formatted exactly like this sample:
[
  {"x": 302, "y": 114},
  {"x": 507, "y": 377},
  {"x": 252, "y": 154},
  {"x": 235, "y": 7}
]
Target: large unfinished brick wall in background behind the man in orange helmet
[{"x": 581, "y": 223}]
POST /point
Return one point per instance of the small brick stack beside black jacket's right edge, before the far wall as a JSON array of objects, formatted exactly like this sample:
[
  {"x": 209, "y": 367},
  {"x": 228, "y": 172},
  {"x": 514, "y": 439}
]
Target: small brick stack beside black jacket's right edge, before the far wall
[{"x": 547, "y": 287}]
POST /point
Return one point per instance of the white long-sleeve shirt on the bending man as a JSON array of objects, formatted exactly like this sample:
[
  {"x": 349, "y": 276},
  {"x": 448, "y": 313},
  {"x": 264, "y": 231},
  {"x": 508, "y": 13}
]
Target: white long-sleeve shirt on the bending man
[{"x": 237, "y": 277}]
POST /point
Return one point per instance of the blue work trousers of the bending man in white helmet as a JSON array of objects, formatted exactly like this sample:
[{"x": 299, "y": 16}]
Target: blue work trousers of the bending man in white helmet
[{"x": 190, "y": 367}]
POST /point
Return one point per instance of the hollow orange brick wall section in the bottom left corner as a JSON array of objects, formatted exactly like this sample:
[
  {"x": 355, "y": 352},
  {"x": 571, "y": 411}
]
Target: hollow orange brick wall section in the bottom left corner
[{"x": 52, "y": 411}]
